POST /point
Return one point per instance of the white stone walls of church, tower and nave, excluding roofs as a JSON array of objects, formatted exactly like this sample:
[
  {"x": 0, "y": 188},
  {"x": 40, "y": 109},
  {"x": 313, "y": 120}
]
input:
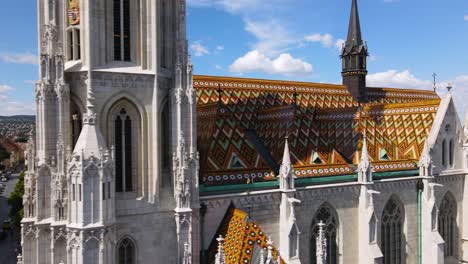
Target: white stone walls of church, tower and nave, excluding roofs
[{"x": 76, "y": 211}]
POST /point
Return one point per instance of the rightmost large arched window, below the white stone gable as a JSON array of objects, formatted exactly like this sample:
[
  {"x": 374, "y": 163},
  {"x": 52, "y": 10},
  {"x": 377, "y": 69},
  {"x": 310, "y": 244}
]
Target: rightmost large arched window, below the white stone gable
[{"x": 448, "y": 224}]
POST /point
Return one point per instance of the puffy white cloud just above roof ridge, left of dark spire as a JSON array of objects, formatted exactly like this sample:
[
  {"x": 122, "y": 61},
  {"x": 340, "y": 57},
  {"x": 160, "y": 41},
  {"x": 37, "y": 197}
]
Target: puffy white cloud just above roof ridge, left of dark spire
[{"x": 284, "y": 64}]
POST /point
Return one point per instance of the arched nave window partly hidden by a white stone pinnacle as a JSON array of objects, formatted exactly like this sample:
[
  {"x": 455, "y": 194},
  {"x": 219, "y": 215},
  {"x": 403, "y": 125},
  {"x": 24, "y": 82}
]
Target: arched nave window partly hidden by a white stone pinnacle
[{"x": 327, "y": 215}]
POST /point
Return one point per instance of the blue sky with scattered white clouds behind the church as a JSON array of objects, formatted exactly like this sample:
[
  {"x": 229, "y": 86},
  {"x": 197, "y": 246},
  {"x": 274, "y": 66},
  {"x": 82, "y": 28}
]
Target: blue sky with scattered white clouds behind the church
[{"x": 282, "y": 39}]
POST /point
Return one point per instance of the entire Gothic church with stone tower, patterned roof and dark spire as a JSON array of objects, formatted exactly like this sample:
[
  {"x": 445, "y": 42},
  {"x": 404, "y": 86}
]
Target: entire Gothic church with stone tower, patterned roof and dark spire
[{"x": 137, "y": 161}]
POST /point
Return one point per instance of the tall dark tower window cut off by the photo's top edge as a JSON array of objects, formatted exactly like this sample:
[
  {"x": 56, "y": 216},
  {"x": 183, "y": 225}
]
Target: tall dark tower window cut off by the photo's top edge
[{"x": 122, "y": 30}]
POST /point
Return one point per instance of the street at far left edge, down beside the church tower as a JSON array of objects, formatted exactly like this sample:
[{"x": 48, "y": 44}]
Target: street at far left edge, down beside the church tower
[{"x": 7, "y": 246}]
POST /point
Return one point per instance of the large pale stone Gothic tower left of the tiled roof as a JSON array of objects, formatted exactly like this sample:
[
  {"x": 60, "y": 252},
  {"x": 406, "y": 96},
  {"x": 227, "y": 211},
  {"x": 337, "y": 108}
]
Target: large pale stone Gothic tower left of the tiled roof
[{"x": 113, "y": 169}]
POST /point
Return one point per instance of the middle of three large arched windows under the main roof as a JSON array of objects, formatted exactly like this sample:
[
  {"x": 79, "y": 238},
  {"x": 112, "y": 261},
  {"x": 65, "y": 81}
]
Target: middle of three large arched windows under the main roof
[{"x": 392, "y": 232}]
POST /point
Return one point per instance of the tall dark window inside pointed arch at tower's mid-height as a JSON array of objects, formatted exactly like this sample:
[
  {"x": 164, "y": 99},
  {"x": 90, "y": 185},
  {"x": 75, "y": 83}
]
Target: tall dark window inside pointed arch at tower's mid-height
[{"x": 123, "y": 151}]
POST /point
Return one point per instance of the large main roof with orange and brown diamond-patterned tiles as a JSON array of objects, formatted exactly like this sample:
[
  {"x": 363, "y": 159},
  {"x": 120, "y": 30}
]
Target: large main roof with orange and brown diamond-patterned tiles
[{"x": 242, "y": 124}]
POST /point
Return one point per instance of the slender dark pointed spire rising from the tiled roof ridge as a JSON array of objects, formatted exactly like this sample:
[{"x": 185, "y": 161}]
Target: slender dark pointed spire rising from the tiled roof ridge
[{"x": 354, "y": 57}]
